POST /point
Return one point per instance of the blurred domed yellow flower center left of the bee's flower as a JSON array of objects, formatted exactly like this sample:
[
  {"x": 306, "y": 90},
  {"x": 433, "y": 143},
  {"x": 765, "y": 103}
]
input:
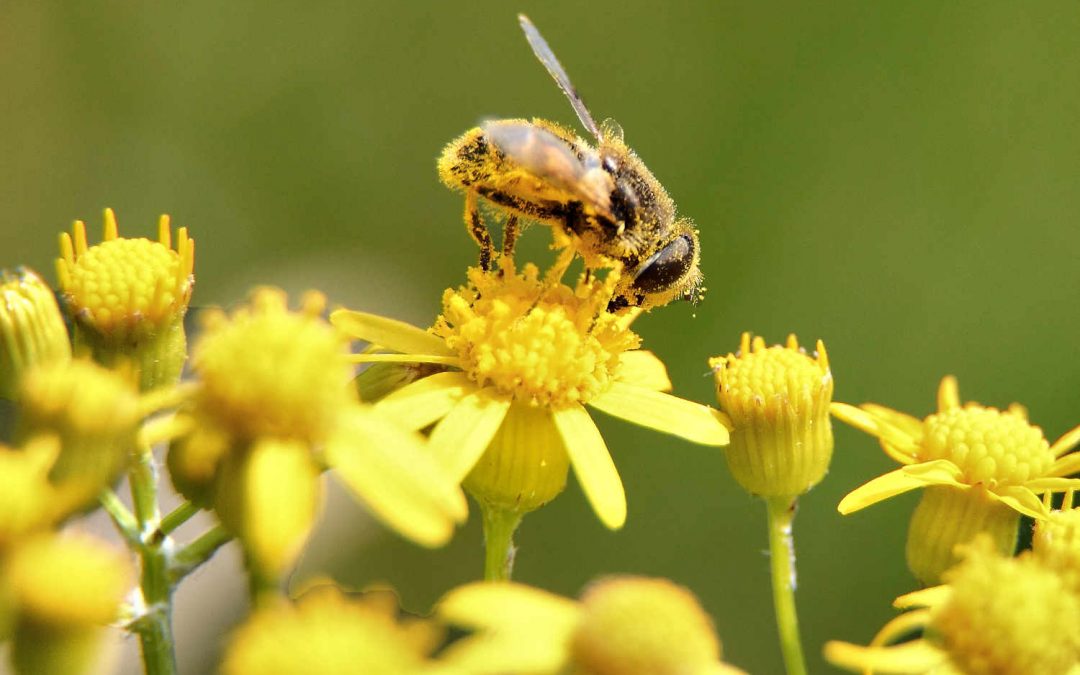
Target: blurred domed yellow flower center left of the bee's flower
[{"x": 267, "y": 372}]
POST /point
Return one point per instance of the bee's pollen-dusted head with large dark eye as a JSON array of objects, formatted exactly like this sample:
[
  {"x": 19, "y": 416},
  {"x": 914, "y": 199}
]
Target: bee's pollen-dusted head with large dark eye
[{"x": 670, "y": 273}]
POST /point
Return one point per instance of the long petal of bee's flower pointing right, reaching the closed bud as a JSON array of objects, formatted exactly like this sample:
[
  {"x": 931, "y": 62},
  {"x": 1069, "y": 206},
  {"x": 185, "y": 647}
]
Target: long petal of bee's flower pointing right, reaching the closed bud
[{"x": 664, "y": 413}]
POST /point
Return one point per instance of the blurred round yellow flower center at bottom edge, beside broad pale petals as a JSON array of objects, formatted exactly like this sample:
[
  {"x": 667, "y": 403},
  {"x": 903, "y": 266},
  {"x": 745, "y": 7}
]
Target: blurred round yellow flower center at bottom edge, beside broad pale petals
[{"x": 632, "y": 626}]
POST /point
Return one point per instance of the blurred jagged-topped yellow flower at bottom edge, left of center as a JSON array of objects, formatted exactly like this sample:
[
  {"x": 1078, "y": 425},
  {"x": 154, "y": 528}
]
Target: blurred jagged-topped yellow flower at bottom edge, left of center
[{"x": 328, "y": 632}]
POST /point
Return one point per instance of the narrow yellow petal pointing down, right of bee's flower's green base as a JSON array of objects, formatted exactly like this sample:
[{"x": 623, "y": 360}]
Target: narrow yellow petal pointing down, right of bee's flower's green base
[{"x": 592, "y": 465}]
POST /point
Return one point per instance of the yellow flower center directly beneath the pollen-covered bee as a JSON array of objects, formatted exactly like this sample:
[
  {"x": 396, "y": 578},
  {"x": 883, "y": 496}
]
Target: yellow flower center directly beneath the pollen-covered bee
[{"x": 534, "y": 341}]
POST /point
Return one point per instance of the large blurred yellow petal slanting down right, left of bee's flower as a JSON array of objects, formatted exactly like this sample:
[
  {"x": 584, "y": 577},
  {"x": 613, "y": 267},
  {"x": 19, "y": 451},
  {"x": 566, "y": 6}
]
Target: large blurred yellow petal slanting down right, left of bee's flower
[{"x": 391, "y": 470}]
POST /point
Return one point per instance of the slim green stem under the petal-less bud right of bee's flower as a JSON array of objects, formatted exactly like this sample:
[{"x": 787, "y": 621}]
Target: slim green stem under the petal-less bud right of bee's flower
[{"x": 781, "y": 512}]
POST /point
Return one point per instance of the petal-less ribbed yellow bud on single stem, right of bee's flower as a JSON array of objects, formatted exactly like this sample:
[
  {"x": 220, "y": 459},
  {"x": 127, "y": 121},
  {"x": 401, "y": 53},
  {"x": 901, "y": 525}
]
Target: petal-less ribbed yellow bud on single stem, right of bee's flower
[{"x": 778, "y": 401}]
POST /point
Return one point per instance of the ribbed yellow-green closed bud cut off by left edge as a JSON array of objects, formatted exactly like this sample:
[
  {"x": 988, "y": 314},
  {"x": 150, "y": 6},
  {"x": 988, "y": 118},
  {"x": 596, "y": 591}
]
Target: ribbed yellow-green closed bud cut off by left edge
[{"x": 32, "y": 328}]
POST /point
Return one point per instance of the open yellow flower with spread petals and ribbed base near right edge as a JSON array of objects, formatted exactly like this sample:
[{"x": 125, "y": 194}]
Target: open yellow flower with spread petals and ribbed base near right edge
[{"x": 982, "y": 468}]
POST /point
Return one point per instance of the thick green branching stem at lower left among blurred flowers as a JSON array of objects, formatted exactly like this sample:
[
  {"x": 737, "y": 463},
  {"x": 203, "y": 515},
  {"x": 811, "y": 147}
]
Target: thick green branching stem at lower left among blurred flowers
[{"x": 155, "y": 628}]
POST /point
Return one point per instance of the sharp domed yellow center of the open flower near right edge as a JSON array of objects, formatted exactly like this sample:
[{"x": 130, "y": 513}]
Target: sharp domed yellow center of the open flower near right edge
[{"x": 990, "y": 447}]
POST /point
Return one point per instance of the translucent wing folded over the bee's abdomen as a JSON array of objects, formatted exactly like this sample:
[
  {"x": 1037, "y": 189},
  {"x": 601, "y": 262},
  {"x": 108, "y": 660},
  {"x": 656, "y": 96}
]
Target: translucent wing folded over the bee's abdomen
[{"x": 553, "y": 161}]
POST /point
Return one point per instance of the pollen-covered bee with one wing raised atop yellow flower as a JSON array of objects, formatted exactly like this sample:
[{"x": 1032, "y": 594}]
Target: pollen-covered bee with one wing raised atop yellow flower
[{"x": 602, "y": 198}]
